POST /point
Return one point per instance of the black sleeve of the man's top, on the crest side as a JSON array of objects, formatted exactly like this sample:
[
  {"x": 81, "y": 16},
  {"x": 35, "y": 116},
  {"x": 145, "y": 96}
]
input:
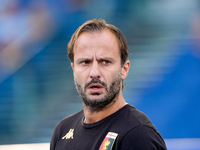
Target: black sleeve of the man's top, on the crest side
[{"x": 143, "y": 137}]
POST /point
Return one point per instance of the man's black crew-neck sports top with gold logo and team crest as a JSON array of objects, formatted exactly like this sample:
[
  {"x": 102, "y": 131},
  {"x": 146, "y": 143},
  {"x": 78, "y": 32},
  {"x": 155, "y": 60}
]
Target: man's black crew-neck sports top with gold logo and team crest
[{"x": 126, "y": 129}]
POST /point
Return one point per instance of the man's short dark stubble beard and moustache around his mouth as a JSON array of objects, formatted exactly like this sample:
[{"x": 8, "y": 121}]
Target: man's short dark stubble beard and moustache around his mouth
[{"x": 111, "y": 95}]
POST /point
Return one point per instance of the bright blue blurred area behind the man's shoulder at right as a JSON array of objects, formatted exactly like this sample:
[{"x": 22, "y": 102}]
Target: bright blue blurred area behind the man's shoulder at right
[{"x": 173, "y": 105}]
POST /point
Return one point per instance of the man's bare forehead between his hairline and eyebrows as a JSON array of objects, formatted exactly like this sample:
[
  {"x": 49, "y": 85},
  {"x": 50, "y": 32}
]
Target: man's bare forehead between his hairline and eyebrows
[{"x": 99, "y": 42}]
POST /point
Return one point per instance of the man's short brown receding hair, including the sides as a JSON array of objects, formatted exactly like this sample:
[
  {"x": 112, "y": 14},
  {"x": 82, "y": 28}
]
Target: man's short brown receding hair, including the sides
[{"x": 99, "y": 25}]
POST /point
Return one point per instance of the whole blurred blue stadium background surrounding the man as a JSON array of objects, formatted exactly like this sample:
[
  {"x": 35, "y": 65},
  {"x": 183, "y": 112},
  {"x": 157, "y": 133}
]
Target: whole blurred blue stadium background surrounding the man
[{"x": 36, "y": 81}]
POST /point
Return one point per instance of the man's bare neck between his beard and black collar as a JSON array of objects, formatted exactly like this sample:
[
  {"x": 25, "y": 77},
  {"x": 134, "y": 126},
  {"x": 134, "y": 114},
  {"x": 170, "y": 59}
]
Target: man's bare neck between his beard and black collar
[{"x": 95, "y": 116}]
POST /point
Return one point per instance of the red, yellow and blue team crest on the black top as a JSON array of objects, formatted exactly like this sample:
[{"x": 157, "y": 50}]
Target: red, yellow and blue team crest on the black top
[{"x": 108, "y": 142}]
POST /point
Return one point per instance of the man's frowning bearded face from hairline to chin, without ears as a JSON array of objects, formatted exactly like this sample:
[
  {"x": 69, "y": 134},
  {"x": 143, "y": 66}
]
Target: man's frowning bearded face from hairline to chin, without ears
[{"x": 97, "y": 68}]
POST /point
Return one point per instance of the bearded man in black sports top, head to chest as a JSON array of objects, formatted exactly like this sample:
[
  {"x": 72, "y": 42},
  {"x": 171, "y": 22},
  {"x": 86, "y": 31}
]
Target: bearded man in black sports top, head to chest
[{"x": 99, "y": 58}]
